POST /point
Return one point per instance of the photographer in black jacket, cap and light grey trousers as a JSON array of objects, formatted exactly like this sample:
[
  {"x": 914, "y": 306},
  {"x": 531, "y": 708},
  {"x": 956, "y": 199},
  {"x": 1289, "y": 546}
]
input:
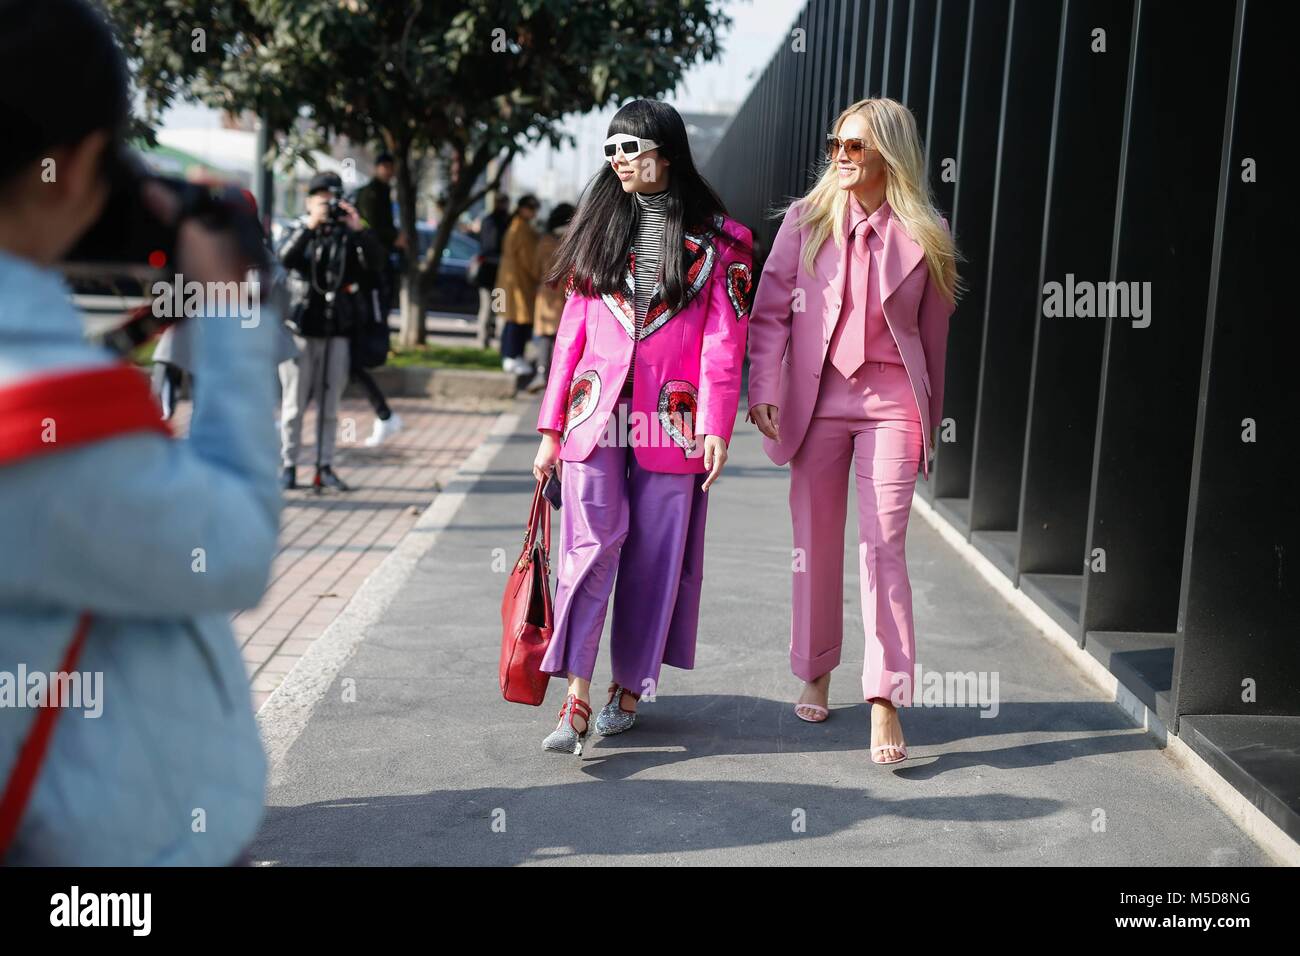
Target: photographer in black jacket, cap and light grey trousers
[{"x": 333, "y": 265}]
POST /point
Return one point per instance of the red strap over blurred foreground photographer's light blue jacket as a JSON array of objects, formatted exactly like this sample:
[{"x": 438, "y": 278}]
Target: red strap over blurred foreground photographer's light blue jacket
[{"x": 58, "y": 413}]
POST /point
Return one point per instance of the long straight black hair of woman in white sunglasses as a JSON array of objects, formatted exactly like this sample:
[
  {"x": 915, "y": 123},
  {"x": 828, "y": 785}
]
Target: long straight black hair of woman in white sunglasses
[{"x": 595, "y": 249}]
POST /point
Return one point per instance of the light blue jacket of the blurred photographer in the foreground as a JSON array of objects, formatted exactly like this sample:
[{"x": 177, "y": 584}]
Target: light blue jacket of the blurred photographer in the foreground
[{"x": 172, "y": 772}]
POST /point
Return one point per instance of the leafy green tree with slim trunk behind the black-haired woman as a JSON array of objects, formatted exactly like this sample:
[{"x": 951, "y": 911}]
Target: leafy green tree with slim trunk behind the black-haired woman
[{"x": 469, "y": 81}]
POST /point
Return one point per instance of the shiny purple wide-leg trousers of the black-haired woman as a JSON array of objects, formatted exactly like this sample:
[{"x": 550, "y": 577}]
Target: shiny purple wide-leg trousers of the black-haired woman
[{"x": 640, "y": 535}]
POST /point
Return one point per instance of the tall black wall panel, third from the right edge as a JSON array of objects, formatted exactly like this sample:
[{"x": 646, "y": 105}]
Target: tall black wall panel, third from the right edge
[{"x": 1078, "y": 235}]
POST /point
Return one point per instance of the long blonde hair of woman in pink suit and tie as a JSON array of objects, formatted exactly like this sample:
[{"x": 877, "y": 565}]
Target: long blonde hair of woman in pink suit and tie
[{"x": 894, "y": 133}]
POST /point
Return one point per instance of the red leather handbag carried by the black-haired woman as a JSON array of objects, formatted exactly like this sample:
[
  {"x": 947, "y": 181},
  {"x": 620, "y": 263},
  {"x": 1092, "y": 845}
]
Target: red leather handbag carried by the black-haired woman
[{"x": 526, "y": 612}]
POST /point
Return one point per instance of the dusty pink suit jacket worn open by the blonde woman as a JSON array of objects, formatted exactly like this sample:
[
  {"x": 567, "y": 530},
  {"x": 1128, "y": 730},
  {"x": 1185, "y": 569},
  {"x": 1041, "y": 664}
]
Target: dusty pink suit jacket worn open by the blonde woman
[{"x": 795, "y": 315}]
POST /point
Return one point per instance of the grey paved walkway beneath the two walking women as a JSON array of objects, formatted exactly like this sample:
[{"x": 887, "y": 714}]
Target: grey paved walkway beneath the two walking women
[{"x": 413, "y": 758}]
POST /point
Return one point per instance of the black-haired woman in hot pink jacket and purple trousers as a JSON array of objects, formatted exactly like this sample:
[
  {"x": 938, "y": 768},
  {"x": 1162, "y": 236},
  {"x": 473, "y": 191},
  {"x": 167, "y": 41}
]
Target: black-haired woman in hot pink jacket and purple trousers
[{"x": 640, "y": 405}]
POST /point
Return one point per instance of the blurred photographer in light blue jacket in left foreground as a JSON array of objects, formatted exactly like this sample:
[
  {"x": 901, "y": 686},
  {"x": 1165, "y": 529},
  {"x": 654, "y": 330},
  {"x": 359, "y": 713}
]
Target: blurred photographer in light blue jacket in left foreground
[{"x": 123, "y": 551}]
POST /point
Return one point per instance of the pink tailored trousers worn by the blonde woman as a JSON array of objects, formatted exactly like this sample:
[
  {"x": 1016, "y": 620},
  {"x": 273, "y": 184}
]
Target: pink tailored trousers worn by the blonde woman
[{"x": 868, "y": 423}]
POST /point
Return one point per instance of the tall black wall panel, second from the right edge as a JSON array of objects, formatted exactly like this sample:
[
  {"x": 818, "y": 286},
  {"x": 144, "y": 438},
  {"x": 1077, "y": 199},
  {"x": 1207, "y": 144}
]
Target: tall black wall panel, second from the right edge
[{"x": 1152, "y": 357}]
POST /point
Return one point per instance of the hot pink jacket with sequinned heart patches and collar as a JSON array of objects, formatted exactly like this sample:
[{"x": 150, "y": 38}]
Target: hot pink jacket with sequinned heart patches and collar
[{"x": 690, "y": 361}]
